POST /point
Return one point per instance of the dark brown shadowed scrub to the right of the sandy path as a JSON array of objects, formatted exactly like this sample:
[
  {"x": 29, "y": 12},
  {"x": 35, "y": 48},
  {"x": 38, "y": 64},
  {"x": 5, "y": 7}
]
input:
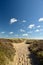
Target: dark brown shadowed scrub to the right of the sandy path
[{"x": 36, "y": 49}]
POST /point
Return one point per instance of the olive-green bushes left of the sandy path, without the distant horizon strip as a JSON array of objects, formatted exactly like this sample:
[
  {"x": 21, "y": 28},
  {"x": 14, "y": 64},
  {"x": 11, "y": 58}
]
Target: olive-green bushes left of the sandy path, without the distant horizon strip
[{"x": 7, "y": 53}]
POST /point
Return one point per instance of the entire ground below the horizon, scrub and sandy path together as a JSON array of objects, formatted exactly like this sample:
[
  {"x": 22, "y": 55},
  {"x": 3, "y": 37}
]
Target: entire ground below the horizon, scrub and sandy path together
[{"x": 9, "y": 48}]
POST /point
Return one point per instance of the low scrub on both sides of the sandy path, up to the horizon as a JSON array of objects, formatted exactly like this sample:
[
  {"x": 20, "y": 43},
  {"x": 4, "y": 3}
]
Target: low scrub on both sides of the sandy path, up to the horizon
[{"x": 7, "y": 50}]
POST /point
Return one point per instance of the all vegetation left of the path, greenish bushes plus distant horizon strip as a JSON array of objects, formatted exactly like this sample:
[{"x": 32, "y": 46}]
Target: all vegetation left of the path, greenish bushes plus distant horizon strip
[{"x": 7, "y": 50}]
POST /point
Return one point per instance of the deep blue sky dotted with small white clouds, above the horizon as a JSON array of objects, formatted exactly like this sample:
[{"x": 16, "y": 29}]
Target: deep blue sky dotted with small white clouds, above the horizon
[{"x": 21, "y": 18}]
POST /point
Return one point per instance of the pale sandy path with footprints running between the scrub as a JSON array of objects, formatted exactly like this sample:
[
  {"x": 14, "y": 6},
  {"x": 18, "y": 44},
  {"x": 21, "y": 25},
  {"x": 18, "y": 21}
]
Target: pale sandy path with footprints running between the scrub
[{"x": 21, "y": 57}]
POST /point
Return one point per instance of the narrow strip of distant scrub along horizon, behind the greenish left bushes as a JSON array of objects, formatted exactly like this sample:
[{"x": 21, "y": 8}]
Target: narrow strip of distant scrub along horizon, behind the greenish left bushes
[{"x": 13, "y": 40}]
